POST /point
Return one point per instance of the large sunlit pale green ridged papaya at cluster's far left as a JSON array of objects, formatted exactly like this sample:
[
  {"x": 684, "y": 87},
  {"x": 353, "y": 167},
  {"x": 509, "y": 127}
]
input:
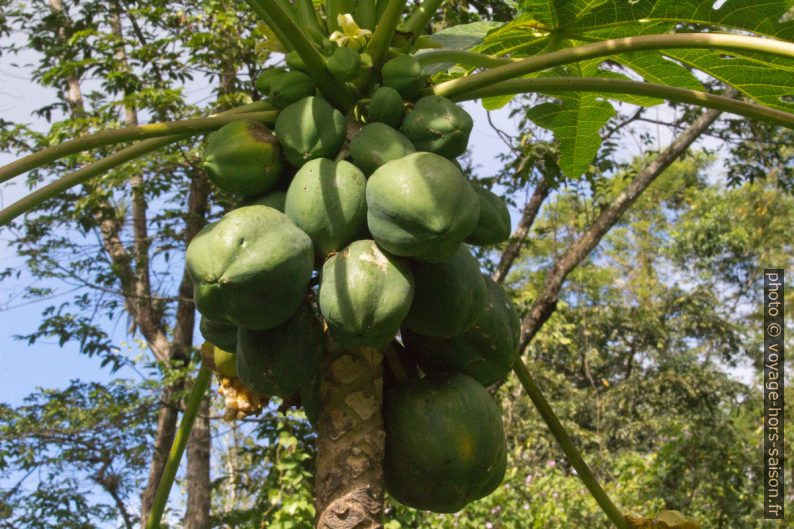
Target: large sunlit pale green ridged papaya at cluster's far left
[{"x": 251, "y": 268}]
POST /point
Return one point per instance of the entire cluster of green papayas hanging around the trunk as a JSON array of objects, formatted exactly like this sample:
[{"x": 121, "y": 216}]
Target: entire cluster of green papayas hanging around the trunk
[{"x": 363, "y": 224}]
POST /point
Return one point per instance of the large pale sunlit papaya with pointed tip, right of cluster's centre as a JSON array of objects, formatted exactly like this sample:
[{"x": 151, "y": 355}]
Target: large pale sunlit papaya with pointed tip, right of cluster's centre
[{"x": 421, "y": 206}]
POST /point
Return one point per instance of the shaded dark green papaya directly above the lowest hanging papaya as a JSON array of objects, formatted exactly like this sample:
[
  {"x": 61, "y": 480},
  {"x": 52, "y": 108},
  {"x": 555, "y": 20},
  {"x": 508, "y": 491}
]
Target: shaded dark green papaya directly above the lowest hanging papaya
[{"x": 486, "y": 350}]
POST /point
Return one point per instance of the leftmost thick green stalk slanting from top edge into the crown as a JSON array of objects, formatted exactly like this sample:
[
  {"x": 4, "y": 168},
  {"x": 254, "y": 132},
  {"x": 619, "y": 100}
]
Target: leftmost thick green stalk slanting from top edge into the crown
[{"x": 276, "y": 17}]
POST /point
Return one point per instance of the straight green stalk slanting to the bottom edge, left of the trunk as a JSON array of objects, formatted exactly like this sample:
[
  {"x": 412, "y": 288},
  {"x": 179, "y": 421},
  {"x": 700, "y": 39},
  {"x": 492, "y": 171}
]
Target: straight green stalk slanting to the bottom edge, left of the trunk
[{"x": 178, "y": 447}]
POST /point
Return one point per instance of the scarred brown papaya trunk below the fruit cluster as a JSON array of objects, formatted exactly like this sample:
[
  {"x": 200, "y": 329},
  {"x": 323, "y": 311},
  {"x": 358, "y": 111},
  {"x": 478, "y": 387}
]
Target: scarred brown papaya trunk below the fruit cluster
[{"x": 349, "y": 479}]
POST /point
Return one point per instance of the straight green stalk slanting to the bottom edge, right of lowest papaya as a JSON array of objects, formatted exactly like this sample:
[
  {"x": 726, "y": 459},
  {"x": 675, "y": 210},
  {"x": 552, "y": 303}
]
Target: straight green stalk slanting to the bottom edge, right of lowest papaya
[{"x": 566, "y": 443}]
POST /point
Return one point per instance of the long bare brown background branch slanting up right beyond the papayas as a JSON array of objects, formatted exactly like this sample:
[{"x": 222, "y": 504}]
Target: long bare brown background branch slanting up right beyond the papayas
[{"x": 546, "y": 301}]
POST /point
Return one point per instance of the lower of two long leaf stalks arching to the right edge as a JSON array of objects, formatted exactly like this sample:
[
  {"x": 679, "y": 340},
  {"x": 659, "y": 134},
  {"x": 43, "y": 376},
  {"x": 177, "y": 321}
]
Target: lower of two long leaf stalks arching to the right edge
[{"x": 620, "y": 86}]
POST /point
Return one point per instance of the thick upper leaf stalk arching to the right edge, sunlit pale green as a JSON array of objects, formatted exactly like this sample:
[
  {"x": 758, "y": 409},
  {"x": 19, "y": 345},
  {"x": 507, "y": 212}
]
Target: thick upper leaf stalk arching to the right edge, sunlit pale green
[{"x": 611, "y": 47}]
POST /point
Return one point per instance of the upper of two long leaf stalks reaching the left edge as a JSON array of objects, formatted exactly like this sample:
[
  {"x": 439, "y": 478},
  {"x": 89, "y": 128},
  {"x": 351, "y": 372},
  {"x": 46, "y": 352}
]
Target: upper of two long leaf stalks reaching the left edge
[{"x": 125, "y": 134}]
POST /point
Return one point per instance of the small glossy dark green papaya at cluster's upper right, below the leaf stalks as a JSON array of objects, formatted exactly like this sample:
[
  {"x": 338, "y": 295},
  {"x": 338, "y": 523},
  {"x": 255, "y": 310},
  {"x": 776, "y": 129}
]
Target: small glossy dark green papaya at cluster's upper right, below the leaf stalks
[{"x": 438, "y": 125}]
